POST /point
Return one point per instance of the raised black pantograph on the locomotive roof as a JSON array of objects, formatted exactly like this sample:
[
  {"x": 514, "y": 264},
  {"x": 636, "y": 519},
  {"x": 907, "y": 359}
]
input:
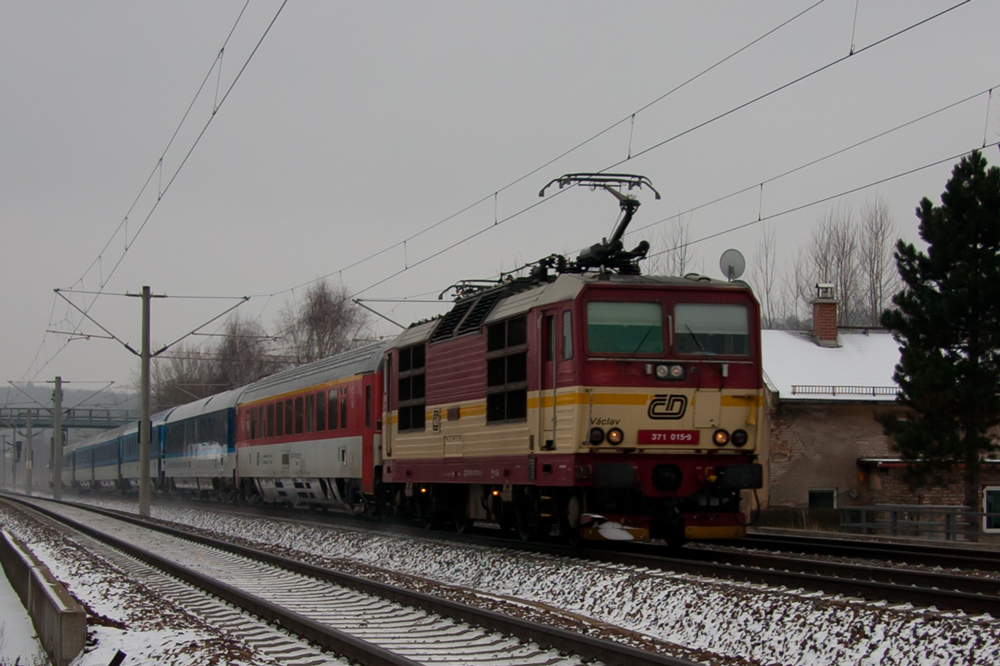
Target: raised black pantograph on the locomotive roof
[{"x": 610, "y": 254}]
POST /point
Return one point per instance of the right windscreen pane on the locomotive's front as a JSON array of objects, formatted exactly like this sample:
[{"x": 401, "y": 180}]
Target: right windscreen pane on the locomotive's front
[{"x": 712, "y": 328}]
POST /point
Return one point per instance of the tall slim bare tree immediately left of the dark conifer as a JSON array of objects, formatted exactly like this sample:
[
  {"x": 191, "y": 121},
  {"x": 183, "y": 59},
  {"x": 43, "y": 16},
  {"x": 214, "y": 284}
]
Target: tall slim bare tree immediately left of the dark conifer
[{"x": 879, "y": 278}]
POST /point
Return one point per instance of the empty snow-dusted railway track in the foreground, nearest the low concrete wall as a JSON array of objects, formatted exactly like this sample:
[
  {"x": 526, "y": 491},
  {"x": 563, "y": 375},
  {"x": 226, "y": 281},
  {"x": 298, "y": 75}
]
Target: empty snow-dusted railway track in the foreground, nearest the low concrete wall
[{"x": 364, "y": 621}]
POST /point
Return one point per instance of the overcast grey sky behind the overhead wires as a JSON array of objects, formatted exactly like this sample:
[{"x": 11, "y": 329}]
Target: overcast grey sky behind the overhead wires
[{"x": 356, "y": 125}]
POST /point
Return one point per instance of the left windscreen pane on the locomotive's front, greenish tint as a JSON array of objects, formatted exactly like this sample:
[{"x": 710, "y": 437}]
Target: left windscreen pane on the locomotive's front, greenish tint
[{"x": 624, "y": 328}]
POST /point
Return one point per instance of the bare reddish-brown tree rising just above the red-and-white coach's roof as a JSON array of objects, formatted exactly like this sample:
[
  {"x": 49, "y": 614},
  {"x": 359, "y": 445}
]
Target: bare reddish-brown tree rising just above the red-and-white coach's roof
[{"x": 325, "y": 323}]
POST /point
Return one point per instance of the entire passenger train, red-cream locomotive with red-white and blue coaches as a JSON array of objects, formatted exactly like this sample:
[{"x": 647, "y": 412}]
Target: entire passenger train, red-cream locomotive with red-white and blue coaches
[{"x": 585, "y": 401}]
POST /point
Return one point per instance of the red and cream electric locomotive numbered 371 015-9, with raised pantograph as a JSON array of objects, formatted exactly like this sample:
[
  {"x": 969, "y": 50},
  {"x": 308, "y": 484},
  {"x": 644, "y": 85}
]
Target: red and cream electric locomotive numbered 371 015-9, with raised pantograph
[{"x": 593, "y": 403}]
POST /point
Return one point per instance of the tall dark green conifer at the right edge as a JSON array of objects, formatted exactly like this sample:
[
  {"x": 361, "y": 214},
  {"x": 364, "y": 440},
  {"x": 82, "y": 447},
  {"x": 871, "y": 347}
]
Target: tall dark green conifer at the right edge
[{"x": 947, "y": 321}]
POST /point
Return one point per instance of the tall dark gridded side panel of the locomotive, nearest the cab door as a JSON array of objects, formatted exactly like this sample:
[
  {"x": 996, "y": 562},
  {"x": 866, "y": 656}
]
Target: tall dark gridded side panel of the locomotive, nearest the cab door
[{"x": 507, "y": 371}]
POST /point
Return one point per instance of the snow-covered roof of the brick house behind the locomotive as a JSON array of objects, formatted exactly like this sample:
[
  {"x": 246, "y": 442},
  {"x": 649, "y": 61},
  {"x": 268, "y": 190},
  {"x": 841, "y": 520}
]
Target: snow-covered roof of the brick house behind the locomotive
[{"x": 860, "y": 368}]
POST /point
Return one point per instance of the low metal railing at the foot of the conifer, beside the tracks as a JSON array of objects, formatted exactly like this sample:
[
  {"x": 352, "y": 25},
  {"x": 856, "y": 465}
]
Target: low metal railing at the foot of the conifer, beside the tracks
[{"x": 921, "y": 521}]
